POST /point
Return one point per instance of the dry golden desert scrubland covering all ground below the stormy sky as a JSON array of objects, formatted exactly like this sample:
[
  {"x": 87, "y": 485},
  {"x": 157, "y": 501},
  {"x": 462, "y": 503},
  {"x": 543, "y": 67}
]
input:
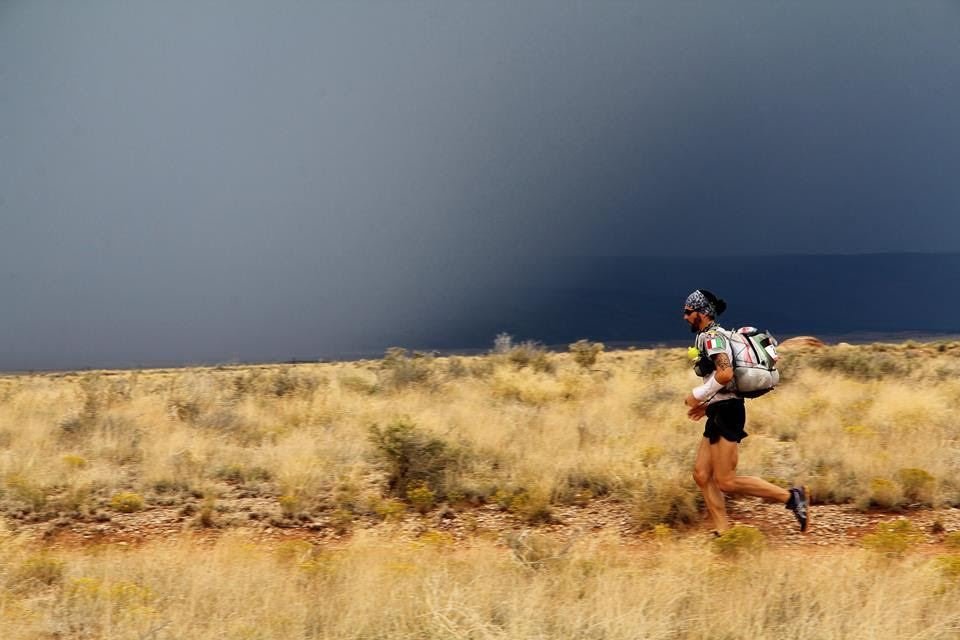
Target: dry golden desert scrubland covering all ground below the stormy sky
[{"x": 363, "y": 448}]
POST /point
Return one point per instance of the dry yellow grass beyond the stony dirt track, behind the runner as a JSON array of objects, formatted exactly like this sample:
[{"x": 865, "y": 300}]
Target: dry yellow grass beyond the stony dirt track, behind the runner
[{"x": 556, "y": 433}]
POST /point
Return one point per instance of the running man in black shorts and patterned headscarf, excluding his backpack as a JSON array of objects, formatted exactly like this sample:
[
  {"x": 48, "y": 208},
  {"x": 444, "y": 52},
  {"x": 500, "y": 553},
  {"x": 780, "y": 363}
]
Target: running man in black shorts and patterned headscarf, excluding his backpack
[{"x": 715, "y": 470}]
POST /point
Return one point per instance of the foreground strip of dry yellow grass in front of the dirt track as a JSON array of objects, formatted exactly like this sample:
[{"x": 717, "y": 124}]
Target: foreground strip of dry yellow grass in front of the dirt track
[{"x": 375, "y": 588}]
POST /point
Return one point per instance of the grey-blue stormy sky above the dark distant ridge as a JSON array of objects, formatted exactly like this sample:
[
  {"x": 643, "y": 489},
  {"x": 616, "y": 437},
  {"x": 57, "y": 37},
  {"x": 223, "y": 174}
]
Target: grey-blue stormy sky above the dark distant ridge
[{"x": 206, "y": 181}]
